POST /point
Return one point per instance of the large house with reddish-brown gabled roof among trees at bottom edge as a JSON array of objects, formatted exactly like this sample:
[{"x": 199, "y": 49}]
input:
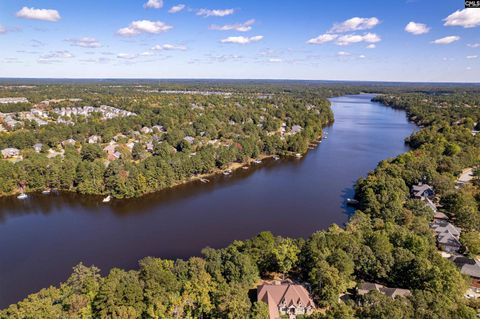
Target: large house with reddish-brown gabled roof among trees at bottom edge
[{"x": 285, "y": 298}]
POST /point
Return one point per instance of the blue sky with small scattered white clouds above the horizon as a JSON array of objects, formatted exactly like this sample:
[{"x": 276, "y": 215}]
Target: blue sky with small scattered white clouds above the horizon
[{"x": 264, "y": 39}]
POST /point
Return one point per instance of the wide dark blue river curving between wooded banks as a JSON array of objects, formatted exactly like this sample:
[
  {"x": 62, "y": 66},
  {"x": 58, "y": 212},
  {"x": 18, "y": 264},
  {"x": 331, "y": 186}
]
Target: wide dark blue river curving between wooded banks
[{"x": 43, "y": 237}]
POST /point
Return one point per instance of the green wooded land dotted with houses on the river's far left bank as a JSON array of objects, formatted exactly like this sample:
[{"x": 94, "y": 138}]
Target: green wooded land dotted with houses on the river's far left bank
[{"x": 186, "y": 135}]
